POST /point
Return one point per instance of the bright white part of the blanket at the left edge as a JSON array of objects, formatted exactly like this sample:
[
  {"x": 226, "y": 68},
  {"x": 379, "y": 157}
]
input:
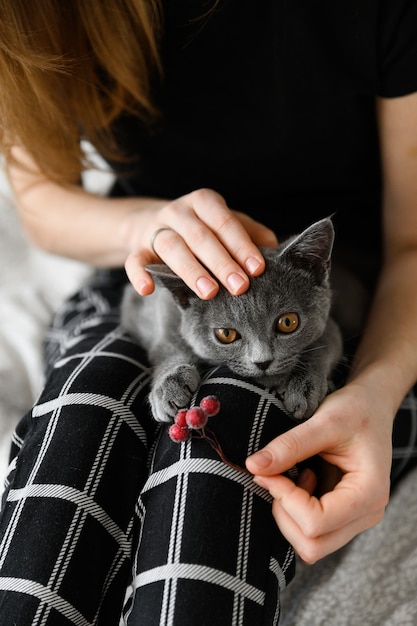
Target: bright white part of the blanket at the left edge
[{"x": 32, "y": 285}]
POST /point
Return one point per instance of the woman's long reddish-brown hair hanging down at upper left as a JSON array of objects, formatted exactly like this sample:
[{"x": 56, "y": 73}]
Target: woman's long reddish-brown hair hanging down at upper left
[{"x": 68, "y": 69}]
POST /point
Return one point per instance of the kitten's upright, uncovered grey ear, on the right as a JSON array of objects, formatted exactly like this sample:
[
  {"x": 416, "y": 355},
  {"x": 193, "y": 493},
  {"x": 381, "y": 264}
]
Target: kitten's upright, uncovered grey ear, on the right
[{"x": 312, "y": 249}]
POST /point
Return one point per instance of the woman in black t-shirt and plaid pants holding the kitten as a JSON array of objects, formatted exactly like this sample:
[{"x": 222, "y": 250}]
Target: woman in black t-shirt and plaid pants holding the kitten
[{"x": 225, "y": 123}]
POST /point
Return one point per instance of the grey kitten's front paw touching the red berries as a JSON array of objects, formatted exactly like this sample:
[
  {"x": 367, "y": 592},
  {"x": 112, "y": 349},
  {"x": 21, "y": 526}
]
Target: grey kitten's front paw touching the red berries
[{"x": 173, "y": 391}]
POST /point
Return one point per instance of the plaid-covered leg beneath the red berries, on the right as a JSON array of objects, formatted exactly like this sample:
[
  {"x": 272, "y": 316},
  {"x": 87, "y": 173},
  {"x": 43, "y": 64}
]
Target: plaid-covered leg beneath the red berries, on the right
[{"x": 210, "y": 551}]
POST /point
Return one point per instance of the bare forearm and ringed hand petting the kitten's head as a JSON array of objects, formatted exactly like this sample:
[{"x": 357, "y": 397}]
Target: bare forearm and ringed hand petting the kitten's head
[{"x": 201, "y": 239}]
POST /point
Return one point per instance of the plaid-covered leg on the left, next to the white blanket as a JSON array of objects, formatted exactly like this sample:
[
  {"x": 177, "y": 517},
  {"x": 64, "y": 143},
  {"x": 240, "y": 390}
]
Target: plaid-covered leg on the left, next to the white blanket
[{"x": 78, "y": 463}]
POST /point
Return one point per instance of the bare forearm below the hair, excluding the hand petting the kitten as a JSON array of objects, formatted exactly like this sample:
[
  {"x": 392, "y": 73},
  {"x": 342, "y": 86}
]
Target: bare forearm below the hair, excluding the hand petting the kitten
[{"x": 70, "y": 221}]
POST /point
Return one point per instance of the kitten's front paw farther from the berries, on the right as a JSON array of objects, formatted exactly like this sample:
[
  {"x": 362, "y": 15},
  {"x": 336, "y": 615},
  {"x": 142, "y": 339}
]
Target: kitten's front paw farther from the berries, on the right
[{"x": 302, "y": 395}]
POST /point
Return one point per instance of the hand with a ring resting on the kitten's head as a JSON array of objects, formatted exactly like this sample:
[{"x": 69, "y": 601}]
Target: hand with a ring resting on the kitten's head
[{"x": 201, "y": 240}]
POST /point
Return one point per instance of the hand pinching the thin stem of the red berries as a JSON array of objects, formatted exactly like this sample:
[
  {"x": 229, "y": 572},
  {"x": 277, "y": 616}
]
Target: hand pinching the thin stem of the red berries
[{"x": 351, "y": 430}]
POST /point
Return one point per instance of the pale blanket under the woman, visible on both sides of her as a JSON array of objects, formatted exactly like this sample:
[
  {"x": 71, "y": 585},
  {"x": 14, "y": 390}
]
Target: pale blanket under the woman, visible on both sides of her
[{"x": 371, "y": 582}]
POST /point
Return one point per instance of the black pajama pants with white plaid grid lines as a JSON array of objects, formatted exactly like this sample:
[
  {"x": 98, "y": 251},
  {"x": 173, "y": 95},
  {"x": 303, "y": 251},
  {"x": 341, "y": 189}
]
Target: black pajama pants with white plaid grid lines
[{"x": 105, "y": 520}]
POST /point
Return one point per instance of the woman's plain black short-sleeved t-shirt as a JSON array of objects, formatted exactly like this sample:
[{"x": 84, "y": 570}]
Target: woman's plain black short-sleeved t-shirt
[{"x": 272, "y": 103}]
